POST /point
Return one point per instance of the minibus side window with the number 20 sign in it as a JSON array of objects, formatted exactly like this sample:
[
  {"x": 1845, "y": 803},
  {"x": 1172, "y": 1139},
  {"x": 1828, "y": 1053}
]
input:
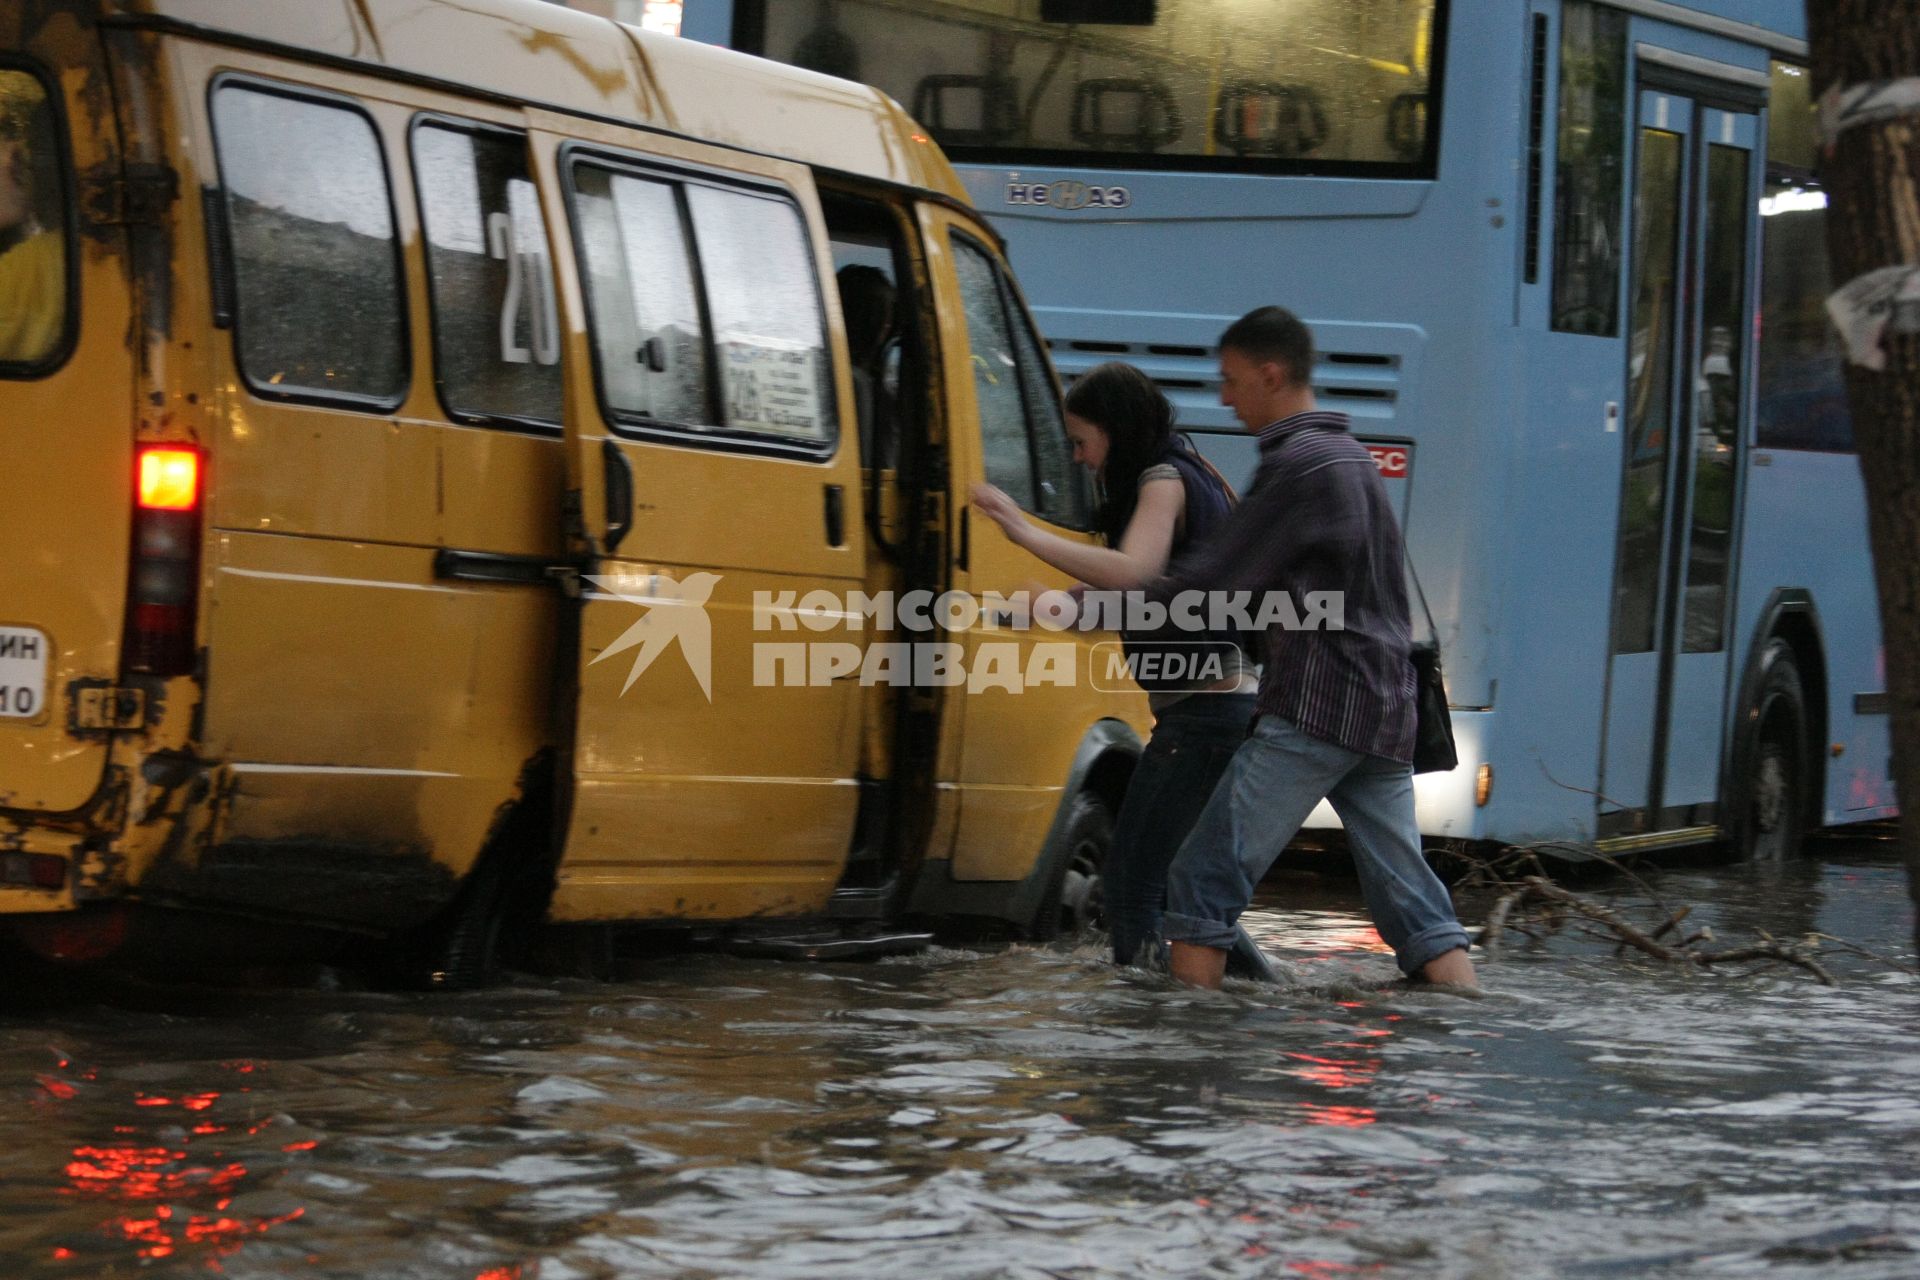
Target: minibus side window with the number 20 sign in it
[{"x": 496, "y": 318}]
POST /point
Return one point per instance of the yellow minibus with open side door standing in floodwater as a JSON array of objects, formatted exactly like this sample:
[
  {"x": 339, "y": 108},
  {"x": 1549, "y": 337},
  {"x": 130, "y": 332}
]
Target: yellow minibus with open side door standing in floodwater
[{"x": 473, "y": 465}]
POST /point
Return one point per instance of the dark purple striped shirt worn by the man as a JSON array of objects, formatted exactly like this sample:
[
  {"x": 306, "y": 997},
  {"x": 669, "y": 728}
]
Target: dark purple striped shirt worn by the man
[{"x": 1318, "y": 519}]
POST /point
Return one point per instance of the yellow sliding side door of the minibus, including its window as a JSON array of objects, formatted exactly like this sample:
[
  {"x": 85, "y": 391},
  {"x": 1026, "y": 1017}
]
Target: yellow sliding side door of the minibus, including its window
[{"x": 717, "y": 732}]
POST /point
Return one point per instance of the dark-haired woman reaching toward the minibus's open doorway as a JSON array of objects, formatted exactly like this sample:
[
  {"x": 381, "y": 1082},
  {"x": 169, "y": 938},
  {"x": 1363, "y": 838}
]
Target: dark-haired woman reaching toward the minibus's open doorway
[{"x": 1161, "y": 500}]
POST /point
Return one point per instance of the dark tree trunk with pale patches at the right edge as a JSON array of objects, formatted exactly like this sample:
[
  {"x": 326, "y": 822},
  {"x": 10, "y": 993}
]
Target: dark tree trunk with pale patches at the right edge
[{"x": 1873, "y": 222}]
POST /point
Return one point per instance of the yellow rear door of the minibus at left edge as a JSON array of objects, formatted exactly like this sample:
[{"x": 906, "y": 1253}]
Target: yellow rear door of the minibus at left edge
[{"x": 66, "y": 408}]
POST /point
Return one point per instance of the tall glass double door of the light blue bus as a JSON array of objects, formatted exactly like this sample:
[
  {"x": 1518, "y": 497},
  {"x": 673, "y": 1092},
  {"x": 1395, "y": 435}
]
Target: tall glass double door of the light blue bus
[{"x": 1687, "y": 412}]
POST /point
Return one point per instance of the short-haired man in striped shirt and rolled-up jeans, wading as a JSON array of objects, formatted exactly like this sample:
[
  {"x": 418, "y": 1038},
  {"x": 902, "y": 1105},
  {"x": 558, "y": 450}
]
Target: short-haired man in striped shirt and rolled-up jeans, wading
[{"x": 1335, "y": 703}]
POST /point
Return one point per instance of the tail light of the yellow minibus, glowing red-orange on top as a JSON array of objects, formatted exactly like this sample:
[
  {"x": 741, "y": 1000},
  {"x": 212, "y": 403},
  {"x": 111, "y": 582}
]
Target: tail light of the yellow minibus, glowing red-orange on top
[{"x": 164, "y": 590}]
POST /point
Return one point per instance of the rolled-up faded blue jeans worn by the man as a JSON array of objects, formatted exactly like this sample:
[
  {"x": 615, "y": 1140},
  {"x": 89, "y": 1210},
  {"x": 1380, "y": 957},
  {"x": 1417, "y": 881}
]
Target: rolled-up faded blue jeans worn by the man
[{"x": 1276, "y": 780}]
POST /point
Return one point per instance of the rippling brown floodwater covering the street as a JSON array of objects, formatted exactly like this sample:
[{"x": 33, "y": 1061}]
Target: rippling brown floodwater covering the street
[{"x": 1005, "y": 1112}]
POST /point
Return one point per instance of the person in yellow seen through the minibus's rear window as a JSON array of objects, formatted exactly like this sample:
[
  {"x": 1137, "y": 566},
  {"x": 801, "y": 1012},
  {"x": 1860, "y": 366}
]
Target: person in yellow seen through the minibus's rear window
[{"x": 32, "y": 260}]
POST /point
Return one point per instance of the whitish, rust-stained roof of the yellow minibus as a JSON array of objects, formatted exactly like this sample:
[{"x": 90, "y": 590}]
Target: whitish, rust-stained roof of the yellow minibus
[{"x": 569, "y": 60}]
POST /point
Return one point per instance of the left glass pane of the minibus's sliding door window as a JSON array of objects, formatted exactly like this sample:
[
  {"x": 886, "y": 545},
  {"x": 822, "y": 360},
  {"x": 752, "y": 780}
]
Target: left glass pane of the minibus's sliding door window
[{"x": 648, "y": 327}]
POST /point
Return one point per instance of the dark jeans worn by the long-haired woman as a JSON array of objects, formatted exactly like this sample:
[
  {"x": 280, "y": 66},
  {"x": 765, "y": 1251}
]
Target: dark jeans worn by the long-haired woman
[{"x": 1191, "y": 747}]
